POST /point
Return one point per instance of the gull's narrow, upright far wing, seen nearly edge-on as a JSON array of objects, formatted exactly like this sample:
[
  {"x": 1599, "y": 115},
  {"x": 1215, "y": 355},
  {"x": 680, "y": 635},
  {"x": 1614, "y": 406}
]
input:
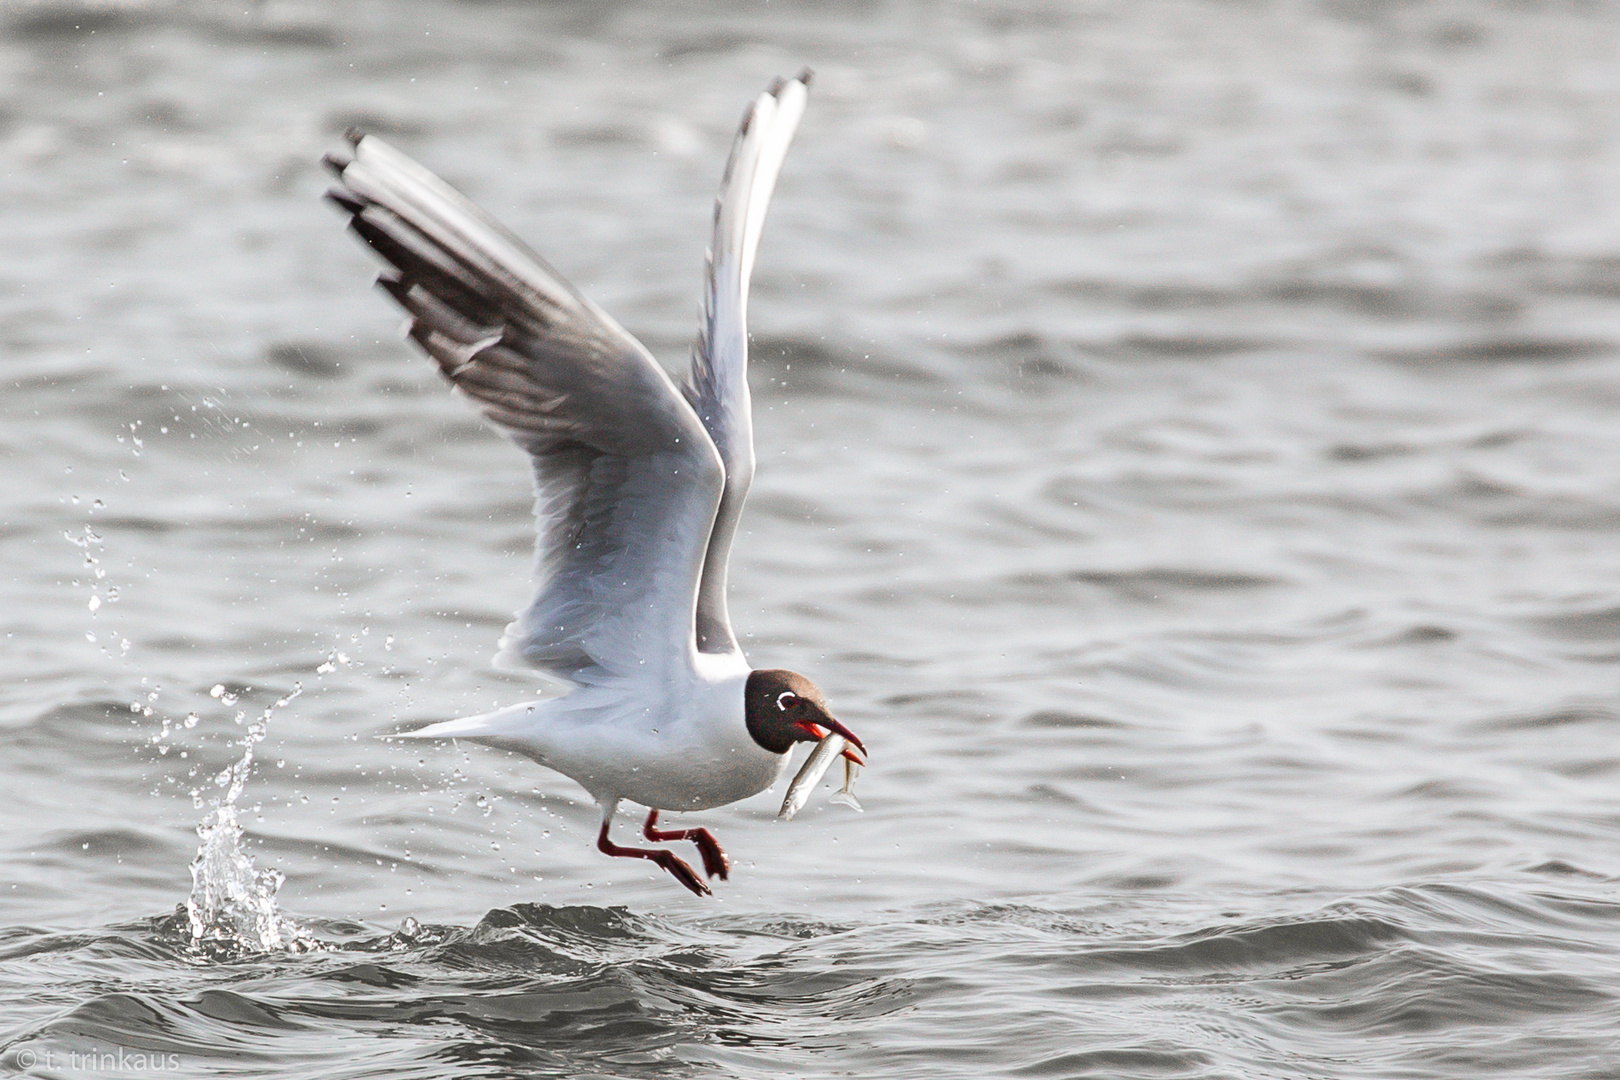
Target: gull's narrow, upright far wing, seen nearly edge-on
[{"x": 718, "y": 383}]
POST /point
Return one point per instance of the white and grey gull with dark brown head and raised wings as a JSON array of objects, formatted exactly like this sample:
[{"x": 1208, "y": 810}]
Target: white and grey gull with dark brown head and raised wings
[{"x": 639, "y": 491}]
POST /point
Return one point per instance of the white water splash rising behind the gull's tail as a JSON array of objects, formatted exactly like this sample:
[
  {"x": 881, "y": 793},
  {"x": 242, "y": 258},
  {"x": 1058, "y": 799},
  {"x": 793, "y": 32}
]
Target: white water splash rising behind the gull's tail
[{"x": 232, "y": 904}]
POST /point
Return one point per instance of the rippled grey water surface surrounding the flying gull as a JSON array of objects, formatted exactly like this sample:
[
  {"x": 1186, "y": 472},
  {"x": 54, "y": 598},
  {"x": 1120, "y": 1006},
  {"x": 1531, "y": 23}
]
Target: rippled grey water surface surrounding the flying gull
[{"x": 1190, "y": 457}]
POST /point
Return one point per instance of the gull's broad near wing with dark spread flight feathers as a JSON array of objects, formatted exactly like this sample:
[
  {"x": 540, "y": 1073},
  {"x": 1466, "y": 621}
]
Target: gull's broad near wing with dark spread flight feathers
[{"x": 628, "y": 482}]
